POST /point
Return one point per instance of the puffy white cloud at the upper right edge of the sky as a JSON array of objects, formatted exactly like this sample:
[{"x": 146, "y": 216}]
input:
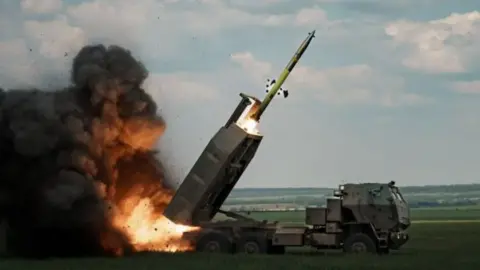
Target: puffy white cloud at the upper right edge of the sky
[{"x": 439, "y": 46}]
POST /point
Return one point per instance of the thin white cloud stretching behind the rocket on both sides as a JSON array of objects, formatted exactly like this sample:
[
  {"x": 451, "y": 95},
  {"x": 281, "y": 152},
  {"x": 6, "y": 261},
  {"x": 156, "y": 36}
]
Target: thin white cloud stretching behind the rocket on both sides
[{"x": 349, "y": 84}]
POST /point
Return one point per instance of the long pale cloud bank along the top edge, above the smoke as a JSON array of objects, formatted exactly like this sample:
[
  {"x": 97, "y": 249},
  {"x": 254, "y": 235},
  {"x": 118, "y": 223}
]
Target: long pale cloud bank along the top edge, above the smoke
[{"x": 138, "y": 24}]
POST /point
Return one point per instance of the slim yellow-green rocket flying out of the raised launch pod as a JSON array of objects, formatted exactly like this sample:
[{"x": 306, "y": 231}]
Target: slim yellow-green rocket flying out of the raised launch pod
[{"x": 283, "y": 76}]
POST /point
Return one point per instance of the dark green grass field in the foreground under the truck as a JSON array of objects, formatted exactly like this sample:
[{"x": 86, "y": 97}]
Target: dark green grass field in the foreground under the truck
[{"x": 443, "y": 239}]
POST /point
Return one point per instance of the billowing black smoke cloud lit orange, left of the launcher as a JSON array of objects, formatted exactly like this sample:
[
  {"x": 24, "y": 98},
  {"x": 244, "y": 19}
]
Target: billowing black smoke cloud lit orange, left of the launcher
[{"x": 60, "y": 153}]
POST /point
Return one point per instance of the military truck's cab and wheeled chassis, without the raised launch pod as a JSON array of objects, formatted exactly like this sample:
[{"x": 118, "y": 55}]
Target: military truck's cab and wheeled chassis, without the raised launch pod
[{"x": 369, "y": 217}]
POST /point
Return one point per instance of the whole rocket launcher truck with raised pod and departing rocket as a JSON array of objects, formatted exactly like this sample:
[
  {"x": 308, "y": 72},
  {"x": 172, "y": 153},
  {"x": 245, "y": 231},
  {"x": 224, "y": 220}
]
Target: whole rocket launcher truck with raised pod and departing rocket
[{"x": 369, "y": 217}]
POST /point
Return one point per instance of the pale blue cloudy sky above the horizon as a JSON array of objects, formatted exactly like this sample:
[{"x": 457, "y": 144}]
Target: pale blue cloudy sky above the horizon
[{"x": 388, "y": 89}]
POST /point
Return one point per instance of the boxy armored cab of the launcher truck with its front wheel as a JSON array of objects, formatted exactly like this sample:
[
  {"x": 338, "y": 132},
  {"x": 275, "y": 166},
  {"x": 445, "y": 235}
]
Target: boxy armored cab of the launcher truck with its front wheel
[{"x": 370, "y": 217}]
